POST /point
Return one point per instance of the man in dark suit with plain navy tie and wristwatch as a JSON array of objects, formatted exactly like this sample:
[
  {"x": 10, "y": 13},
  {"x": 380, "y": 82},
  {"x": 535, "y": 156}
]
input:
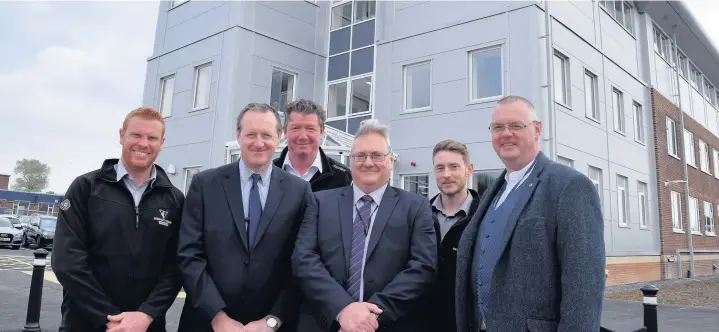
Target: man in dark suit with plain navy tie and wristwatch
[{"x": 238, "y": 230}]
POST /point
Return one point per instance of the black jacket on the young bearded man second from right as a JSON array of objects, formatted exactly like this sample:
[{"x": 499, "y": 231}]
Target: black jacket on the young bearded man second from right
[{"x": 442, "y": 308}]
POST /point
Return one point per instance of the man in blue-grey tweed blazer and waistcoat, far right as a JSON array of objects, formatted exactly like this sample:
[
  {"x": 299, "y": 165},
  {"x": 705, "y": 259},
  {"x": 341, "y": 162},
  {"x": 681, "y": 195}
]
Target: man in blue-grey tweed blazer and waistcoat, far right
[{"x": 532, "y": 258}]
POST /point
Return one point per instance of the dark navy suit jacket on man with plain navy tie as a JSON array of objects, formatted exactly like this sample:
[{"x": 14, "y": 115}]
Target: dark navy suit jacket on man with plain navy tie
[{"x": 220, "y": 273}]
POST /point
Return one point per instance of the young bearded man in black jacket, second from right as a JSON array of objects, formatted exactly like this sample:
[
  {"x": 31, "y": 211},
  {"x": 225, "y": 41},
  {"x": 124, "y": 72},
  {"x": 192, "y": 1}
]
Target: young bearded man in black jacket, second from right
[{"x": 452, "y": 209}]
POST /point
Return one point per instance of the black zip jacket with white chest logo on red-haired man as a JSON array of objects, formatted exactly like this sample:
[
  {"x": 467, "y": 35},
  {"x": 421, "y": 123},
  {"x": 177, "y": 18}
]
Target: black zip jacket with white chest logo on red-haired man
[{"x": 112, "y": 257}]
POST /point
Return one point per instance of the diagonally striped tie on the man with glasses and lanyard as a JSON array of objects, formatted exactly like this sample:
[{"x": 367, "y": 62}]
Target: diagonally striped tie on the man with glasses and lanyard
[{"x": 358, "y": 239}]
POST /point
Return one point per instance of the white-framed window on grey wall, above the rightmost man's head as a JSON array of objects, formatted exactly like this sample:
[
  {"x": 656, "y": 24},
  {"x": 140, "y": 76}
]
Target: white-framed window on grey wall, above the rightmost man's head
[{"x": 486, "y": 75}]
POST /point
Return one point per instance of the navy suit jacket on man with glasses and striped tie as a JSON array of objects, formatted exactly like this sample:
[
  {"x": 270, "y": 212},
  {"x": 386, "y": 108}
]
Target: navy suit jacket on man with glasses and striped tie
[{"x": 401, "y": 259}]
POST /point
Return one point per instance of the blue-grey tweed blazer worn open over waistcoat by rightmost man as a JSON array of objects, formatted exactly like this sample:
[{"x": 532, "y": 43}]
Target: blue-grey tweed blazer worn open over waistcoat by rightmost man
[{"x": 550, "y": 273}]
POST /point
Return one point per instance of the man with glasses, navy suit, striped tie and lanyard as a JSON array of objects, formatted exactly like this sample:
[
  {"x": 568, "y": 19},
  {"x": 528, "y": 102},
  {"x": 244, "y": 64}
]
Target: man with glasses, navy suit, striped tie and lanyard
[{"x": 366, "y": 255}]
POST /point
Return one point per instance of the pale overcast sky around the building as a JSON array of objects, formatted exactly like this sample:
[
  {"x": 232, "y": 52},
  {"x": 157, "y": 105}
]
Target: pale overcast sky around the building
[{"x": 70, "y": 71}]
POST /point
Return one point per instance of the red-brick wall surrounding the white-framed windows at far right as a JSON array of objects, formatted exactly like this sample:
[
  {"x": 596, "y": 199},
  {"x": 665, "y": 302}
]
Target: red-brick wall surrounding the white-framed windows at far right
[{"x": 702, "y": 186}]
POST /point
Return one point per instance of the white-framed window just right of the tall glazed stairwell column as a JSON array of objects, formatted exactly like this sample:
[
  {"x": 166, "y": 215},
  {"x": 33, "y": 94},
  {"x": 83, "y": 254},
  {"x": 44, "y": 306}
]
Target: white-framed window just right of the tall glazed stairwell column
[{"x": 418, "y": 86}]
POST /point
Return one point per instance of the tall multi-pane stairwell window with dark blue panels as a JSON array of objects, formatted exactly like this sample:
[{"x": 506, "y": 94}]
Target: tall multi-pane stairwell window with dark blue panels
[{"x": 350, "y": 65}]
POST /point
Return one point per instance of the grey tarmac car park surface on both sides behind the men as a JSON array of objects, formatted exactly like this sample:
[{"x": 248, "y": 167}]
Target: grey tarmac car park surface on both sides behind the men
[{"x": 16, "y": 271}]
